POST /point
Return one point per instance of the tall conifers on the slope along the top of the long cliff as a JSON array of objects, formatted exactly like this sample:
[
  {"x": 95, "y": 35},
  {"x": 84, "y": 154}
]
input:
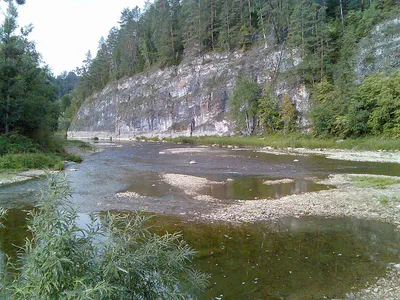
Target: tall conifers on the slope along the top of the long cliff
[{"x": 324, "y": 33}]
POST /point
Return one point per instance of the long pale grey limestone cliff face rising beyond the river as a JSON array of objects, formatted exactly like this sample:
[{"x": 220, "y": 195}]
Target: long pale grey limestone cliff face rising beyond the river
[{"x": 165, "y": 102}]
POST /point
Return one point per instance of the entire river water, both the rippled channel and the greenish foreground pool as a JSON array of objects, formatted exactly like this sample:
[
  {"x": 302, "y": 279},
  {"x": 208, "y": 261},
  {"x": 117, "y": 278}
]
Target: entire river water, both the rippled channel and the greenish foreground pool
[{"x": 309, "y": 258}]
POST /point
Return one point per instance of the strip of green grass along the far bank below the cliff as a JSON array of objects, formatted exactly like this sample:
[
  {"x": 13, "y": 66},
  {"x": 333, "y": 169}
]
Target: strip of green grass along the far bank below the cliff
[{"x": 294, "y": 140}]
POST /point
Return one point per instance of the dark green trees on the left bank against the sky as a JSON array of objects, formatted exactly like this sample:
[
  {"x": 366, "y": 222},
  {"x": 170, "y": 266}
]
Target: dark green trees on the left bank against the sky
[{"x": 28, "y": 92}]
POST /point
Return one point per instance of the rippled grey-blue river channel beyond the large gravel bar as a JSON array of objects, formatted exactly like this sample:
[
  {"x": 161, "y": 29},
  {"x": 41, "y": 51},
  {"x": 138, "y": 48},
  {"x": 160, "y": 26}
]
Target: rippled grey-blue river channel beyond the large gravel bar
[{"x": 138, "y": 167}]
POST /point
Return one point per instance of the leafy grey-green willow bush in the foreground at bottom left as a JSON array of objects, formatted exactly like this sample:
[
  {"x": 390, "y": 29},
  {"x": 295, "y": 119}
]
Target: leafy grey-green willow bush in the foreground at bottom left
[{"x": 115, "y": 257}]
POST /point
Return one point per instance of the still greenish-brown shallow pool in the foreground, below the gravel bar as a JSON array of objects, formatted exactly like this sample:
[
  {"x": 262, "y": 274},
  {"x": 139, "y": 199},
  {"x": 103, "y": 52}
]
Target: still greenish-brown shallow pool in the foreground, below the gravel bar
[{"x": 307, "y": 258}]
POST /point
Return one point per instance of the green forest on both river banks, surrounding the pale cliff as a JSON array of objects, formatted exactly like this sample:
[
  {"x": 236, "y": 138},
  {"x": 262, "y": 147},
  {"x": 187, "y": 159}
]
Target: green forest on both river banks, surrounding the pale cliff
[{"x": 325, "y": 34}]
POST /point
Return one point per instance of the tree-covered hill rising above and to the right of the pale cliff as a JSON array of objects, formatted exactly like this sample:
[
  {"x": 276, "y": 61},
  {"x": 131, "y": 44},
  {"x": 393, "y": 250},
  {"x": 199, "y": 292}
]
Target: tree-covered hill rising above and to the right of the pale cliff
[{"x": 323, "y": 36}]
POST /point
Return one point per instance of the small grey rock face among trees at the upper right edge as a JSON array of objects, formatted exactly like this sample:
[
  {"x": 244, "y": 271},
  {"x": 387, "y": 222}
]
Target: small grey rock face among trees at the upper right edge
[{"x": 380, "y": 51}]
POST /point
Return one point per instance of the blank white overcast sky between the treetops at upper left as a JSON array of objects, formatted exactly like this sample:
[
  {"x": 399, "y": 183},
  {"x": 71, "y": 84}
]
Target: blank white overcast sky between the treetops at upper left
[{"x": 64, "y": 30}]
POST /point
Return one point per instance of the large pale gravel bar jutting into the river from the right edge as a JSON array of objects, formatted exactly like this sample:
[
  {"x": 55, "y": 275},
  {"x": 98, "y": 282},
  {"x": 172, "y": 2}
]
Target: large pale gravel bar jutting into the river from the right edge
[{"x": 346, "y": 200}]
